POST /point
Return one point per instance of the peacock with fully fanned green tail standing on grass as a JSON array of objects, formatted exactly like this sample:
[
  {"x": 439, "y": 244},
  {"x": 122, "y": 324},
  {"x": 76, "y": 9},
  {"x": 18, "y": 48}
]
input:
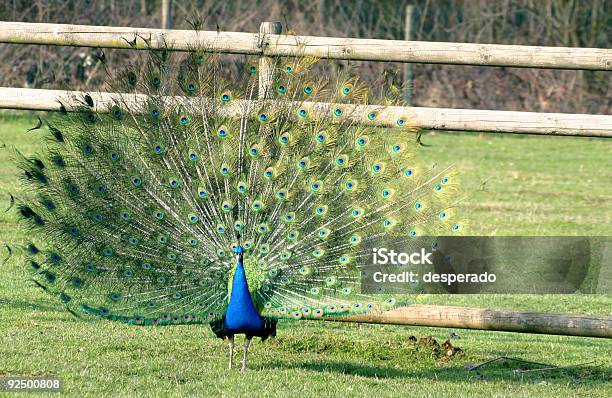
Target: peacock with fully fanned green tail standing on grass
[{"x": 193, "y": 198}]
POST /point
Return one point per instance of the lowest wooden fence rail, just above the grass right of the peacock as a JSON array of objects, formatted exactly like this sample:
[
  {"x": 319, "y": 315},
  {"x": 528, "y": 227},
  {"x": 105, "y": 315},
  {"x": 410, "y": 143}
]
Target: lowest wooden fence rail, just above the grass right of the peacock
[{"x": 487, "y": 319}]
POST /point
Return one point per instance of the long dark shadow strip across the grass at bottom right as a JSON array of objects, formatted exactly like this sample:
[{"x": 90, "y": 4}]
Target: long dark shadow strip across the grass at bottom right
[{"x": 504, "y": 371}]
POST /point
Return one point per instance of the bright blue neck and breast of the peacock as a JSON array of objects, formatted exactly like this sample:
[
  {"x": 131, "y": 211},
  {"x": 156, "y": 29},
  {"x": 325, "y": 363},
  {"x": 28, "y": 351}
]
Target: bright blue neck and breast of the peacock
[{"x": 241, "y": 315}]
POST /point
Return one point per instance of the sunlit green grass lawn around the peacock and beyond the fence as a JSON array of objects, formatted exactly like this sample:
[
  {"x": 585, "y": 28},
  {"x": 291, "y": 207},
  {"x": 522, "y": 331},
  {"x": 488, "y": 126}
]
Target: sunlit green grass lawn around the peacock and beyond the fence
[{"x": 511, "y": 186}]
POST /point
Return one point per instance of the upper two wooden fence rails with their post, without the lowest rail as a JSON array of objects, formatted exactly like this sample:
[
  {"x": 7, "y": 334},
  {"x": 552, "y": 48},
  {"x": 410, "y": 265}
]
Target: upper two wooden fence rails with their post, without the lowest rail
[{"x": 269, "y": 42}]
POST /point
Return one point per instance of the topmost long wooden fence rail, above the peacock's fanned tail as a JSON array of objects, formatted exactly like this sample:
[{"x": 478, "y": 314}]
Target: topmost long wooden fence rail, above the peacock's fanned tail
[{"x": 322, "y": 47}]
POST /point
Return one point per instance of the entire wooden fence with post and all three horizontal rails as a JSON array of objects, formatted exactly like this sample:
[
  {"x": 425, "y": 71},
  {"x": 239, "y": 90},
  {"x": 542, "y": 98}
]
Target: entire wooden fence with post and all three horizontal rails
[{"x": 270, "y": 43}]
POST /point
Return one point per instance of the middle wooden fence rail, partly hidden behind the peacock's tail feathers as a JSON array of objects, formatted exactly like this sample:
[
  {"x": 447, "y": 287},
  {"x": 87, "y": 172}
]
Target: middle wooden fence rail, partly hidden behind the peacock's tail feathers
[{"x": 423, "y": 118}]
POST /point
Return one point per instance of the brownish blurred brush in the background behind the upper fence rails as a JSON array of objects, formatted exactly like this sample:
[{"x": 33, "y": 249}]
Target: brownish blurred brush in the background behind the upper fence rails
[{"x": 571, "y": 23}]
